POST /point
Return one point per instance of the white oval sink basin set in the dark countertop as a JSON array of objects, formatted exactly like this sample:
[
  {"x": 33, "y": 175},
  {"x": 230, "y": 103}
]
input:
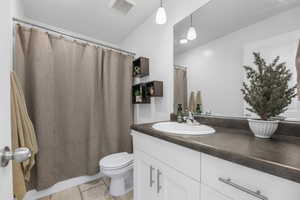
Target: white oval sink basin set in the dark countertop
[{"x": 183, "y": 129}]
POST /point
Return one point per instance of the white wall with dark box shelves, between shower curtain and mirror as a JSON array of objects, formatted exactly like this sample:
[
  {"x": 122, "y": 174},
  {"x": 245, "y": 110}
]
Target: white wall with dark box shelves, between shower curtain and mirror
[{"x": 156, "y": 42}]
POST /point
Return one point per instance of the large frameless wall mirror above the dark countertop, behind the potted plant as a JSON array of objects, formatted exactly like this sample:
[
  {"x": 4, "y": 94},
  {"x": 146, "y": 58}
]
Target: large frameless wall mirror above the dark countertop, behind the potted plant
[{"x": 210, "y": 67}]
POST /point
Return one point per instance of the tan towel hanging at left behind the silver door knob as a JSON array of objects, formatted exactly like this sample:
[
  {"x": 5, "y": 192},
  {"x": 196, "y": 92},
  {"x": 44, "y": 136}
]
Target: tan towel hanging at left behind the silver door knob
[{"x": 23, "y": 135}]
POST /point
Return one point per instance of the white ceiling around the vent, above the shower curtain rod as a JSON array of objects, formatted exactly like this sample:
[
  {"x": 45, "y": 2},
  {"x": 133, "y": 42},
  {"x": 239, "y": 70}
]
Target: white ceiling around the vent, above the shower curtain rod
[{"x": 92, "y": 18}]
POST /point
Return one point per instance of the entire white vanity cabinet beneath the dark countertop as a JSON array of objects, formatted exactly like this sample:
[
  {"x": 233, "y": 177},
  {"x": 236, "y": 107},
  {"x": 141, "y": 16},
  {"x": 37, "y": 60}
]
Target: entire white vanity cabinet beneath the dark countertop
[{"x": 166, "y": 171}]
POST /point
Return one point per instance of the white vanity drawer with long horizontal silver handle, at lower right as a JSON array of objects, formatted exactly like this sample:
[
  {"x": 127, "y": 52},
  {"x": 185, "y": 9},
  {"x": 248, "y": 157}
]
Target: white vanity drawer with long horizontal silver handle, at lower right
[{"x": 241, "y": 183}]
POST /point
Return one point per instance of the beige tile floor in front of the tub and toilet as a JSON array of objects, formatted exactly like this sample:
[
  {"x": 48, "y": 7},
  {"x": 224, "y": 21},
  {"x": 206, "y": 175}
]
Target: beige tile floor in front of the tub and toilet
[{"x": 95, "y": 190}]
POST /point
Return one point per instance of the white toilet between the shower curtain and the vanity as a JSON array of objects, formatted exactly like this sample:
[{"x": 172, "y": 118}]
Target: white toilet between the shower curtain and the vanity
[{"x": 119, "y": 168}]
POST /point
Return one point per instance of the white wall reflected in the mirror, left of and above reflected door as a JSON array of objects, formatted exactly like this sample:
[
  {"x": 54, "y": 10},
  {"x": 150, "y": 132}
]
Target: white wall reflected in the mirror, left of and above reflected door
[{"x": 216, "y": 68}]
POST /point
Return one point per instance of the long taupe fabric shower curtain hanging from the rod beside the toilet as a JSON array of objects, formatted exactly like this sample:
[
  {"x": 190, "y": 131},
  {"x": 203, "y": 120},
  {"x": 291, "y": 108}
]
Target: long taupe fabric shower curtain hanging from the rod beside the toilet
[{"x": 79, "y": 99}]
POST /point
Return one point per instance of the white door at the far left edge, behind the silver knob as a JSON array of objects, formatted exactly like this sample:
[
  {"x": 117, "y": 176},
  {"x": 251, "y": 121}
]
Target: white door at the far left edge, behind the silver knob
[{"x": 5, "y": 63}]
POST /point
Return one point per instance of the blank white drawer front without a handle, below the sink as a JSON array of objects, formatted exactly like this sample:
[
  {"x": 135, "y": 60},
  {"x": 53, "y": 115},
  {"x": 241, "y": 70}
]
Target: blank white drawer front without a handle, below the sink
[{"x": 180, "y": 158}]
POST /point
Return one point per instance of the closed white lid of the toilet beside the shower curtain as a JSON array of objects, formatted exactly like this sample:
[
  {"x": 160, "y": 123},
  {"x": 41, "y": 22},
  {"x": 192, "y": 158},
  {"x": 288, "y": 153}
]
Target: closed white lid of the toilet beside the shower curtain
[{"x": 117, "y": 160}]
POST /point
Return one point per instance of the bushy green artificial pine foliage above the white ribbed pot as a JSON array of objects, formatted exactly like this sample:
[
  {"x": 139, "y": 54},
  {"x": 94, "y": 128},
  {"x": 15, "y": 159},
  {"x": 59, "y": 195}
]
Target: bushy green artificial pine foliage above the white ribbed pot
[{"x": 268, "y": 92}]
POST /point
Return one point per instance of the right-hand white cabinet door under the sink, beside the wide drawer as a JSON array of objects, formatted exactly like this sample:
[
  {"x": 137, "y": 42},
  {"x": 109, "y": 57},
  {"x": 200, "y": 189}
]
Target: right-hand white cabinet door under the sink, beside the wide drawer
[{"x": 173, "y": 185}]
